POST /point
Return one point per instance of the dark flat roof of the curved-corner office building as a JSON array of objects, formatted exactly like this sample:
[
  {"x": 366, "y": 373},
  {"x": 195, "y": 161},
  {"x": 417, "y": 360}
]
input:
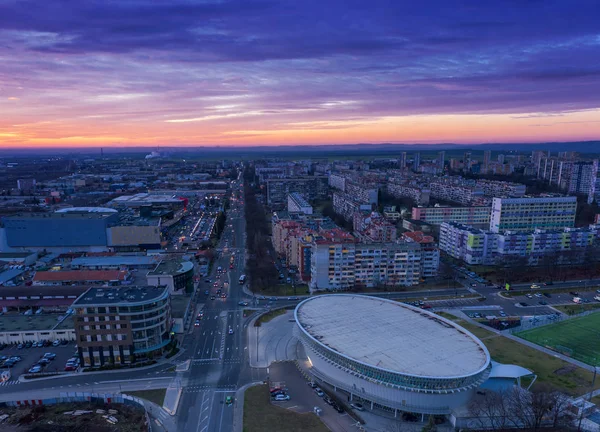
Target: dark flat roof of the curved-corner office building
[{"x": 114, "y": 296}]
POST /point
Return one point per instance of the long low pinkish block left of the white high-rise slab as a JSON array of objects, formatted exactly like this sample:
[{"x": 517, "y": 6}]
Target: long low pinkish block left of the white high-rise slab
[{"x": 473, "y": 216}]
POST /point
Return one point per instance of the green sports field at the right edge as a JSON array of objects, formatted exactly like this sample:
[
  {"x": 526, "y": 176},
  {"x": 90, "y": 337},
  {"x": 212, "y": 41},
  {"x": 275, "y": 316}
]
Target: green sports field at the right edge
[{"x": 578, "y": 338}]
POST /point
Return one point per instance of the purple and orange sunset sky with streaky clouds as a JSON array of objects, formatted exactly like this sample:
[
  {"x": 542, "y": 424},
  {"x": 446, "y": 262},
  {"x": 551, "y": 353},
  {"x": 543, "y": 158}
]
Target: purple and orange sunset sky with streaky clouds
[{"x": 248, "y": 72}]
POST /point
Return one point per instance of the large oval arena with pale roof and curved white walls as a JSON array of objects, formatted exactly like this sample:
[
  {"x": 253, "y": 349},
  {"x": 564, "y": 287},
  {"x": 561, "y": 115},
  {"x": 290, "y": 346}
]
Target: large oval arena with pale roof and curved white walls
[{"x": 390, "y": 355}]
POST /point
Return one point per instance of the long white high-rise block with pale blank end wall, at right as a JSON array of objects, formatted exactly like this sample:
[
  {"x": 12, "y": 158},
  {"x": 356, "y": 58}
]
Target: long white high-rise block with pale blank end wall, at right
[{"x": 529, "y": 213}]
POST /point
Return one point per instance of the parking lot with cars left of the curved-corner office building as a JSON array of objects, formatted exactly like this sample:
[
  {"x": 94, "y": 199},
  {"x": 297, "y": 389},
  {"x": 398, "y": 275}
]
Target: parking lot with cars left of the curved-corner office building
[{"x": 31, "y": 355}]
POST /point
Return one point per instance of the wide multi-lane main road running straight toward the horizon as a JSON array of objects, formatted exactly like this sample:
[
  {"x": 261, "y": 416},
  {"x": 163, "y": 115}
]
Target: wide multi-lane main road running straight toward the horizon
[{"x": 218, "y": 358}]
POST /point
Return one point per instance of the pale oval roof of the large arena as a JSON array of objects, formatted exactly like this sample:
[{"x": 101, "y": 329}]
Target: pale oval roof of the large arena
[{"x": 392, "y": 336}]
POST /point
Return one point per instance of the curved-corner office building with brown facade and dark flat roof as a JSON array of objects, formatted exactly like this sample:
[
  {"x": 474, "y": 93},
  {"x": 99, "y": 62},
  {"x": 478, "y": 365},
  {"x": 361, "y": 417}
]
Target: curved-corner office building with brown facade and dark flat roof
[{"x": 116, "y": 326}]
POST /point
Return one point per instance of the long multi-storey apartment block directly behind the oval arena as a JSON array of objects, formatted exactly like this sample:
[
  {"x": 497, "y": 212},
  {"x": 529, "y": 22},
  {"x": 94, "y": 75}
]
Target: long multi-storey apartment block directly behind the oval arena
[{"x": 341, "y": 266}]
